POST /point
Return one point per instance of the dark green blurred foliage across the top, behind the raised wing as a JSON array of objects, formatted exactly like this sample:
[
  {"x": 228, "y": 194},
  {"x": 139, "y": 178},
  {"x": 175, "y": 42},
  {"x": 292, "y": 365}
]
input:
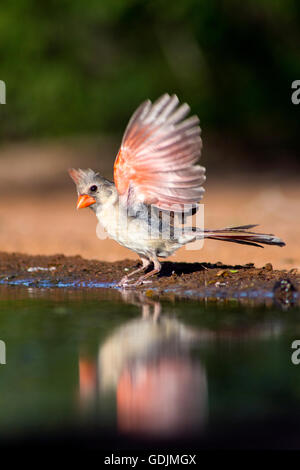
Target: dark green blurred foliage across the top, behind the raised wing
[{"x": 80, "y": 68}]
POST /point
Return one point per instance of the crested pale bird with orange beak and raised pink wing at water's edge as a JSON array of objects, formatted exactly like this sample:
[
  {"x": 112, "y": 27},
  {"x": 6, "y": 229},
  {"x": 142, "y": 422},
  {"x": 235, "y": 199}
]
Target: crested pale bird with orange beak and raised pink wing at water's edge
[{"x": 158, "y": 181}]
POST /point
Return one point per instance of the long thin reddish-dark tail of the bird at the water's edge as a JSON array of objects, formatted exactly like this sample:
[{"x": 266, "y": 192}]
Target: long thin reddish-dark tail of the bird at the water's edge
[{"x": 241, "y": 234}]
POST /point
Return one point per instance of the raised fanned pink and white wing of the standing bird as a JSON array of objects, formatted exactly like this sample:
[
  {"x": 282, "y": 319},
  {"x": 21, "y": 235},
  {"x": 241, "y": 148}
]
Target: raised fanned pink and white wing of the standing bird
[{"x": 156, "y": 163}]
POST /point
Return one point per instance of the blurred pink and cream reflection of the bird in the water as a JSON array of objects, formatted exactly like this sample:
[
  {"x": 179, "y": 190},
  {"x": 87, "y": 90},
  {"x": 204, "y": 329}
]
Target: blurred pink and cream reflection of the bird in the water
[{"x": 160, "y": 389}]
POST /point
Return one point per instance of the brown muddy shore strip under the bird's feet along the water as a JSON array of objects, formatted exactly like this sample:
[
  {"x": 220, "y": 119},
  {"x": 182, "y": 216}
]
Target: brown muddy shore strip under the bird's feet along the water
[{"x": 179, "y": 280}]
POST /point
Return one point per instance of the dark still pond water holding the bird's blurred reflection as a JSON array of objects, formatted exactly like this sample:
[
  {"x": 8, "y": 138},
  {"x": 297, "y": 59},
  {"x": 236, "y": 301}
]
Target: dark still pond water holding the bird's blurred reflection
[{"x": 131, "y": 369}]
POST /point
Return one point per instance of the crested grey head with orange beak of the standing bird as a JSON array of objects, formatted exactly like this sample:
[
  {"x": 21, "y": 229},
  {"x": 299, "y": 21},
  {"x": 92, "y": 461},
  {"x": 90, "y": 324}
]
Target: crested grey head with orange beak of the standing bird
[{"x": 93, "y": 190}]
